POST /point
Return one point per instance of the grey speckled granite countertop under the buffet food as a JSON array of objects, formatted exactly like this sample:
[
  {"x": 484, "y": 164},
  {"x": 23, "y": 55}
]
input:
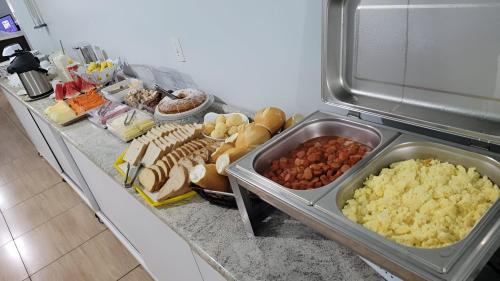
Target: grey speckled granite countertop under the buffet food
[{"x": 285, "y": 249}]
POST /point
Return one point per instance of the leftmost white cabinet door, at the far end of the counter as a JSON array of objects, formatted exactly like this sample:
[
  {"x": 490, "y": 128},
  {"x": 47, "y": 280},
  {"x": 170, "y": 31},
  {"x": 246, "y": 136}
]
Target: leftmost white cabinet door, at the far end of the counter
[{"x": 33, "y": 131}]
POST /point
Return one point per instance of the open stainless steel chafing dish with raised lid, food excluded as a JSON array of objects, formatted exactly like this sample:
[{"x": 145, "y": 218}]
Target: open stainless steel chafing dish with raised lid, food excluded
[{"x": 413, "y": 79}]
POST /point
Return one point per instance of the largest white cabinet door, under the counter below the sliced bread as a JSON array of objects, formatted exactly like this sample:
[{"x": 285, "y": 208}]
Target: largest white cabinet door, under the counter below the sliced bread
[{"x": 166, "y": 255}]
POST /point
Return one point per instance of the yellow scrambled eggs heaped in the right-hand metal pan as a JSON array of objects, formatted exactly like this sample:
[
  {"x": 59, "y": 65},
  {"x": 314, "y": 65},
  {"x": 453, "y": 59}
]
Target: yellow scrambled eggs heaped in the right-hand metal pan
[{"x": 422, "y": 203}]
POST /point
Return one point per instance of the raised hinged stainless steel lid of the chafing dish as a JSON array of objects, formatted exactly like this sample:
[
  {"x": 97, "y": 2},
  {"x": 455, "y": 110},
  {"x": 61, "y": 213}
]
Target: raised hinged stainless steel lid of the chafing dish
[{"x": 433, "y": 66}]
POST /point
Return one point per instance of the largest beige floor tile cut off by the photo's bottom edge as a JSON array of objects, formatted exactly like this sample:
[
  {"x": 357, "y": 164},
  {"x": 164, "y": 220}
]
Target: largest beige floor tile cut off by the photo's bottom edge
[{"x": 101, "y": 258}]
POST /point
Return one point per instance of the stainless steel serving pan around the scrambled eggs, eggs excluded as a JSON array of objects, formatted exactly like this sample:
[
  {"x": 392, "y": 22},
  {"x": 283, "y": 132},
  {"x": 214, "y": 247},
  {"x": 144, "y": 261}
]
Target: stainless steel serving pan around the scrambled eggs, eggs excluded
[{"x": 440, "y": 262}]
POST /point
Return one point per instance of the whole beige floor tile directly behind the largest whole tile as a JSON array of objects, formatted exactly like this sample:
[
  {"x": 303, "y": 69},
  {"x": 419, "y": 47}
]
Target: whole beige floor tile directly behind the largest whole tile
[{"x": 40, "y": 208}]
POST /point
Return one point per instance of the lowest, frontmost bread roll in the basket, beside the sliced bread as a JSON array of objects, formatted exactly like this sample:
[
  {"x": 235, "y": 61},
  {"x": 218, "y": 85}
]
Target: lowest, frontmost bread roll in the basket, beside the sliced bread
[{"x": 206, "y": 176}]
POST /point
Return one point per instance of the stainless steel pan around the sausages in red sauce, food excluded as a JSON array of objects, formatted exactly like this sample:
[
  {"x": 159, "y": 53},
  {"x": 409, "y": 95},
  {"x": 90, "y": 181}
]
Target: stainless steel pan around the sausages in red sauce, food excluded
[{"x": 318, "y": 125}]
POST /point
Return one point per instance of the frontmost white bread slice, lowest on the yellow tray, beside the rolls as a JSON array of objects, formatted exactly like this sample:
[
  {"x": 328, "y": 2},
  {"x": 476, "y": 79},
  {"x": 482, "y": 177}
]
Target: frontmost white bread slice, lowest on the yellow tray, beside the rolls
[{"x": 177, "y": 184}]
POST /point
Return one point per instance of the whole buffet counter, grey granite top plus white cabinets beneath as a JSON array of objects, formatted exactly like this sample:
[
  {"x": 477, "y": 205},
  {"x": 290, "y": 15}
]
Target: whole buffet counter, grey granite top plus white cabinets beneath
[{"x": 191, "y": 239}]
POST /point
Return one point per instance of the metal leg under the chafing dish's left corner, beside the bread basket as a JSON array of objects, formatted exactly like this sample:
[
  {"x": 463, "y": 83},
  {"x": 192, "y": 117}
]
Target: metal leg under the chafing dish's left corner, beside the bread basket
[{"x": 252, "y": 211}]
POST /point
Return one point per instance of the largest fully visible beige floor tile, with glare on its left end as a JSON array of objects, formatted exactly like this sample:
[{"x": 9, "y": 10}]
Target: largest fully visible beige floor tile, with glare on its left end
[{"x": 58, "y": 236}]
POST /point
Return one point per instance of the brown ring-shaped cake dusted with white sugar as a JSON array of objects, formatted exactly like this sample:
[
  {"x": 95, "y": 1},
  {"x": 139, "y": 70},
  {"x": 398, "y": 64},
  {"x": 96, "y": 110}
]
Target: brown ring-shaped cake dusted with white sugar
[{"x": 188, "y": 99}]
